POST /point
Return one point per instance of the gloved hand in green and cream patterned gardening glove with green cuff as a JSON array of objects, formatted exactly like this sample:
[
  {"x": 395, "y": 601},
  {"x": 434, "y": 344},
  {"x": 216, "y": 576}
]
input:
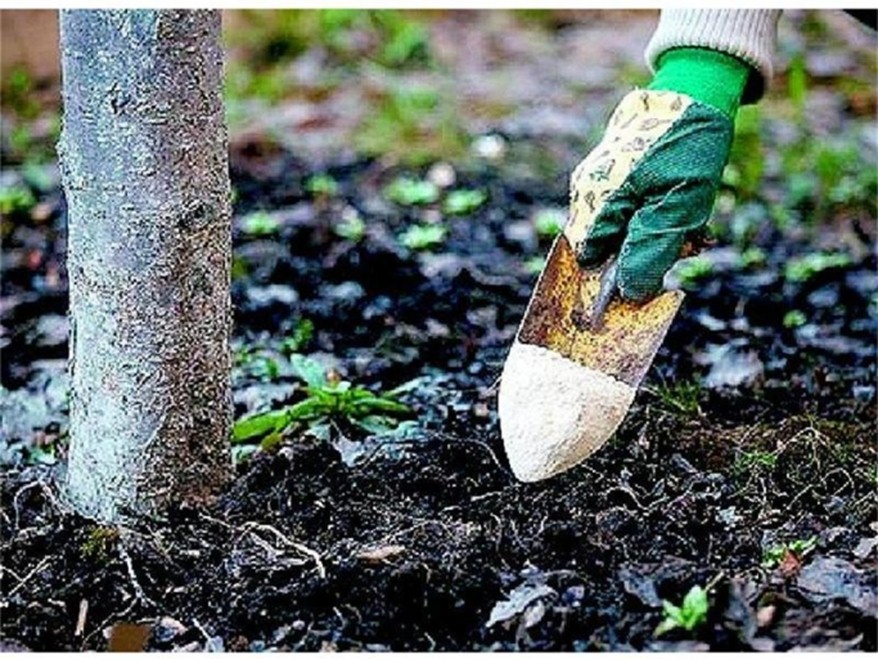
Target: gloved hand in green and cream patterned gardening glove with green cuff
[{"x": 650, "y": 184}]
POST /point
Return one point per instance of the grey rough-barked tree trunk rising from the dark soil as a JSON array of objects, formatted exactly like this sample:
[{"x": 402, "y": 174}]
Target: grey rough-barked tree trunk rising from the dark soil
[{"x": 145, "y": 169}]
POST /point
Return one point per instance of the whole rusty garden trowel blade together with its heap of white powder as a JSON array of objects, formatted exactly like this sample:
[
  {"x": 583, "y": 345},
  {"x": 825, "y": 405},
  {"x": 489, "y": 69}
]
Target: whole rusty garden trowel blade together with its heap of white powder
[{"x": 577, "y": 360}]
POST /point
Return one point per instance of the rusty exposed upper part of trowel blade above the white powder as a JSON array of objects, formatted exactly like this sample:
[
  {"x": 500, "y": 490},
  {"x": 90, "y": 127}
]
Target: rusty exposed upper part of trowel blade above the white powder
[{"x": 557, "y": 318}]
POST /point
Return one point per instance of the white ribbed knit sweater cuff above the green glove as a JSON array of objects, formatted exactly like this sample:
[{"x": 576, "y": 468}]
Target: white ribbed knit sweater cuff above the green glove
[{"x": 749, "y": 34}]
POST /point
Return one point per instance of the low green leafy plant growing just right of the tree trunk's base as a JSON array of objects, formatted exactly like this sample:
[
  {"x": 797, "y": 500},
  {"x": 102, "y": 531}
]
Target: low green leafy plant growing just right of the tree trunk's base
[{"x": 328, "y": 400}]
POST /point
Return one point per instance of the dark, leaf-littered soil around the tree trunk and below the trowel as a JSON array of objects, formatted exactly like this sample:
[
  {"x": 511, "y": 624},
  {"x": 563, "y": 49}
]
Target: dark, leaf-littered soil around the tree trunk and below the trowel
[{"x": 747, "y": 435}]
